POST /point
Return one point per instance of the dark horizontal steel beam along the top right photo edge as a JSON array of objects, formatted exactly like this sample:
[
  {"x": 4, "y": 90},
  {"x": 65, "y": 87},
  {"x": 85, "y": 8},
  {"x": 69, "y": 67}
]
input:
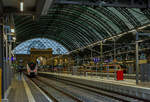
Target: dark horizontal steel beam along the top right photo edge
[{"x": 108, "y": 3}]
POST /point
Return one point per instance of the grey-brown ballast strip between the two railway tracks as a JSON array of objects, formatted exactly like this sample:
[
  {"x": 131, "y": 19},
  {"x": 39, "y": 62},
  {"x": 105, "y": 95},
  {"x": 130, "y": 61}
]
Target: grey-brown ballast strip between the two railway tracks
[{"x": 79, "y": 93}]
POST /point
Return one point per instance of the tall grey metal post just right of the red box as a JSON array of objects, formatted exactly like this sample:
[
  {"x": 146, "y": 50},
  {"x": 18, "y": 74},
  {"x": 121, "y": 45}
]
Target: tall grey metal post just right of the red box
[{"x": 137, "y": 58}]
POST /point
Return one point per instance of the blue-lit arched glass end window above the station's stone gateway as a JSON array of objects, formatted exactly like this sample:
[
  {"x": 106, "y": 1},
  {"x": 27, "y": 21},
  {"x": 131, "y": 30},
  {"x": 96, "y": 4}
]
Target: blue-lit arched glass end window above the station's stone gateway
[{"x": 40, "y": 43}]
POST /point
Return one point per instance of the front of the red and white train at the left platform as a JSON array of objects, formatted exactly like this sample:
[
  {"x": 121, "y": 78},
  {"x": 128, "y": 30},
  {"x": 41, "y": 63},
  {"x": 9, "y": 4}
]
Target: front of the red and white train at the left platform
[{"x": 32, "y": 69}]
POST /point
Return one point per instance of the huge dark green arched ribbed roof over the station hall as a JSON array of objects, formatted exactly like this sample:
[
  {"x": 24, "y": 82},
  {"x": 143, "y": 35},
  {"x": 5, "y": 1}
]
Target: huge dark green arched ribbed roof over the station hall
[{"x": 76, "y": 26}]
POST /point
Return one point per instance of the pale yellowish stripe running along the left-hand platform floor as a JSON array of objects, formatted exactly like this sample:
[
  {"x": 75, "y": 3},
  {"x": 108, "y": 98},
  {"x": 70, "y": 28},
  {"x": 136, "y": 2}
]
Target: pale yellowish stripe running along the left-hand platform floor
[{"x": 28, "y": 91}]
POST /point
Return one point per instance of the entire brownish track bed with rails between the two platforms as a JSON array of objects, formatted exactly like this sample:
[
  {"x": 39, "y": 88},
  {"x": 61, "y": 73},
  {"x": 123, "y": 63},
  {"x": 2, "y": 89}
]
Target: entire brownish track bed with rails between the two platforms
[{"x": 86, "y": 91}]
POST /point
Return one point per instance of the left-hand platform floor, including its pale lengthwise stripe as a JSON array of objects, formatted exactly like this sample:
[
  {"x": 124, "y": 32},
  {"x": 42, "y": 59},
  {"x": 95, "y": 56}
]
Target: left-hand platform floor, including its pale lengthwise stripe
[{"x": 23, "y": 90}]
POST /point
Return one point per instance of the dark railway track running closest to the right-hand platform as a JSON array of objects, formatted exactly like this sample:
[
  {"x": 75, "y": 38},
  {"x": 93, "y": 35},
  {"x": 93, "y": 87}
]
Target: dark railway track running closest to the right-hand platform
[{"x": 114, "y": 95}]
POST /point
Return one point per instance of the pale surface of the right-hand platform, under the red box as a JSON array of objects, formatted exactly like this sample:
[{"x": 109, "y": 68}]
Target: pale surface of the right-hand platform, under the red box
[{"x": 125, "y": 82}]
